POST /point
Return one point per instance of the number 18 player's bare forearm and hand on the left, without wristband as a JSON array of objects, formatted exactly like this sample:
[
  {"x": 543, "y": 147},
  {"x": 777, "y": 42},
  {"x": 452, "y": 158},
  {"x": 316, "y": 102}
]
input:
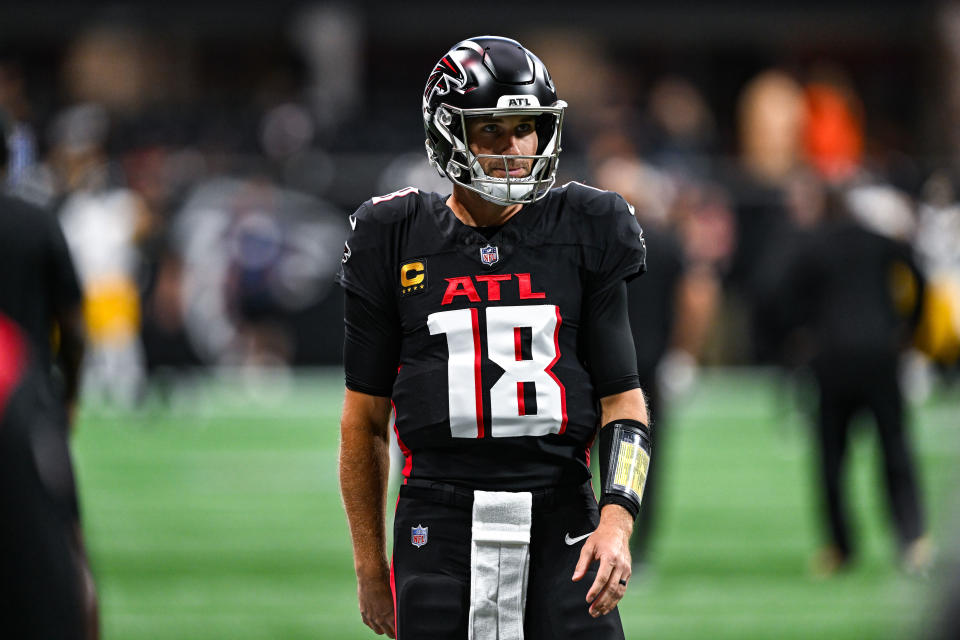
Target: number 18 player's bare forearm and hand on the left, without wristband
[{"x": 364, "y": 469}]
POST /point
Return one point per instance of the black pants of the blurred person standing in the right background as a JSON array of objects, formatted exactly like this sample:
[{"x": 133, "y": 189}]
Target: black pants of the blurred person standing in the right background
[{"x": 848, "y": 385}]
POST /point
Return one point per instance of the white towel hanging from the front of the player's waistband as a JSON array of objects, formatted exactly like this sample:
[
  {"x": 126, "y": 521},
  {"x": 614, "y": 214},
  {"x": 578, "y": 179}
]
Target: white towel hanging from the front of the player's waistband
[{"x": 499, "y": 564}]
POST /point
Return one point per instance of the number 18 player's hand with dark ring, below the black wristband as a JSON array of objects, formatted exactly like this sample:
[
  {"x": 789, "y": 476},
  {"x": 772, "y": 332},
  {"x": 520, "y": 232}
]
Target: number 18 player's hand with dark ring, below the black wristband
[{"x": 610, "y": 544}]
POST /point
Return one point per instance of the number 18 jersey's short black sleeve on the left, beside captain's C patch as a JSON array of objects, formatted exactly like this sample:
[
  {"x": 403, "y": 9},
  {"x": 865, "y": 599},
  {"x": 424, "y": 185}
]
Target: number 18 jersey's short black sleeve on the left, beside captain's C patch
[{"x": 363, "y": 268}]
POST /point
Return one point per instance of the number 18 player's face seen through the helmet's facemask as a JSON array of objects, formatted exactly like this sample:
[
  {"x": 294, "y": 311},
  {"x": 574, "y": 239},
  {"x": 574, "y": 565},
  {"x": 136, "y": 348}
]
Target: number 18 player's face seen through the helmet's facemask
[{"x": 504, "y": 136}]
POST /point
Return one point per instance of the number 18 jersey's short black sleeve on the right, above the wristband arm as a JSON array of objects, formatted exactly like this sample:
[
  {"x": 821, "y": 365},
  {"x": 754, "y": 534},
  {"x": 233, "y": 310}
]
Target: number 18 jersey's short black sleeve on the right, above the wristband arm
[{"x": 613, "y": 240}]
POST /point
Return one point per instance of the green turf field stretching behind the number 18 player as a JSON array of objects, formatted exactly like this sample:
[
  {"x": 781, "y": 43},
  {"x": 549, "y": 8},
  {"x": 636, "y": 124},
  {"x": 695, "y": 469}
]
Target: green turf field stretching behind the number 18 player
[{"x": 218, "y": 516}]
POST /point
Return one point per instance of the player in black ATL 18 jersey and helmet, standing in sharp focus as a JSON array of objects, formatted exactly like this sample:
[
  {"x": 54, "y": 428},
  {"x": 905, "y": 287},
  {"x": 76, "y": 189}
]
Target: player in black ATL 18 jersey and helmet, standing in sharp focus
[{"x": 495, "y": 322}]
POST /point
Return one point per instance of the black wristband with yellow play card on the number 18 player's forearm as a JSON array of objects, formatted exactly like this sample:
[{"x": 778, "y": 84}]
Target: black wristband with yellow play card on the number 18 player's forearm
[{"x": 625, "y": 449}]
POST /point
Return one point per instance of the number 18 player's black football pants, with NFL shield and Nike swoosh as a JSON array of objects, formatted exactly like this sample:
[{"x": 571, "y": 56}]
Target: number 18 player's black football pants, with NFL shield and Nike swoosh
[{"x": 432, "y": 582}]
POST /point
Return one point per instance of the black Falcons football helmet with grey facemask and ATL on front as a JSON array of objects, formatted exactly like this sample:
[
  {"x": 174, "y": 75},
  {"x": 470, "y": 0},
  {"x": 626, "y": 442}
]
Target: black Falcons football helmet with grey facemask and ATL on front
[{"x": 491, "y": 76}]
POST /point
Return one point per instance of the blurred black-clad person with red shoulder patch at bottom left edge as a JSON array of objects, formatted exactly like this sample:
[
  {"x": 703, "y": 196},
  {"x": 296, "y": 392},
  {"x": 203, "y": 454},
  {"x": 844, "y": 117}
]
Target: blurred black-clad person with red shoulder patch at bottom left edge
[{"x": 42, "y": 584}]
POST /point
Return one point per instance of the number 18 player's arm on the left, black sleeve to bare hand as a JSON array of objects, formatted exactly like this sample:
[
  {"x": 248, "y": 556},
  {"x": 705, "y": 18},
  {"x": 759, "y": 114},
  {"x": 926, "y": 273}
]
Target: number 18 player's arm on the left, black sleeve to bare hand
[{"x": 371, "y": 353}]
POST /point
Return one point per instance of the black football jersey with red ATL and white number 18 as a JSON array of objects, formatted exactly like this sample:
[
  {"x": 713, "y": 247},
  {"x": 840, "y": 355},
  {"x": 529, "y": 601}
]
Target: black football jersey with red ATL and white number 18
[{"x": 493, "y": 389}]
